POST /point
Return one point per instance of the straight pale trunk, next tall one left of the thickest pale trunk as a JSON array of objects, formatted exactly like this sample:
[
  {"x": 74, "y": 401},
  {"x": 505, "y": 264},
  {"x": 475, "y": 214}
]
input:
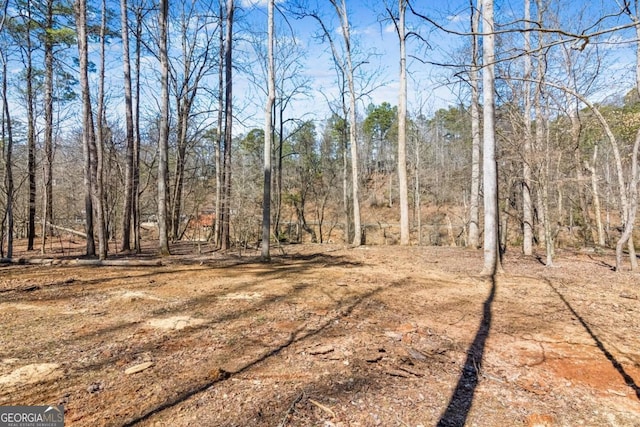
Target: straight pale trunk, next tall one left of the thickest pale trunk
[{"x": 402, "y": 130}]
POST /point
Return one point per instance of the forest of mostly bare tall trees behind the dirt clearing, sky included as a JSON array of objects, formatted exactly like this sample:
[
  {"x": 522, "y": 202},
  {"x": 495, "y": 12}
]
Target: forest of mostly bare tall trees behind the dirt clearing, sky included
[{"x": 120, "y": 123}]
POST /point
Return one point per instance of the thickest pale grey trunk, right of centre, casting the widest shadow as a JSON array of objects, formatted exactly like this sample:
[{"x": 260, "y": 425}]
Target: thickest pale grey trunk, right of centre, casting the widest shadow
[{"x": 490, "y": 176}]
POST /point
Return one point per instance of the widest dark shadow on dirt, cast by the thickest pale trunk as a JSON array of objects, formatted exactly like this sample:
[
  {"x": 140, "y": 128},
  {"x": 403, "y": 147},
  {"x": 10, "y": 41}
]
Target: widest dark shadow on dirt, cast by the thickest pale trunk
[{"x": 460, "y": 403}]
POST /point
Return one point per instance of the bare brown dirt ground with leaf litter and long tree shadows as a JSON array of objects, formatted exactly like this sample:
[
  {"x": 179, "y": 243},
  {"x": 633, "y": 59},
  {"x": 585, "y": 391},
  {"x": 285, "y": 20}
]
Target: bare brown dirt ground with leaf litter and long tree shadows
[{"x": 324, "y": 335}]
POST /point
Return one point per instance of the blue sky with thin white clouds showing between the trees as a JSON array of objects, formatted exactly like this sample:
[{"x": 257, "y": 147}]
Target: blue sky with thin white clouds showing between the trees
[{"x": 376, "y": 42}]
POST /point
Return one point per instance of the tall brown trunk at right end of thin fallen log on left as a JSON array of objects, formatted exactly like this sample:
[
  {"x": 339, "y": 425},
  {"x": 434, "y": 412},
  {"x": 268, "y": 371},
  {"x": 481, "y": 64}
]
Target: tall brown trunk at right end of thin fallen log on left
[{"x": 88, "y": 137}]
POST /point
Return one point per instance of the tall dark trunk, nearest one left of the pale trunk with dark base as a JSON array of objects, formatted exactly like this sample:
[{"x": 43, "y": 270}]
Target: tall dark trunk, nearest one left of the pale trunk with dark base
[{"x": 228, "y": 128}]
